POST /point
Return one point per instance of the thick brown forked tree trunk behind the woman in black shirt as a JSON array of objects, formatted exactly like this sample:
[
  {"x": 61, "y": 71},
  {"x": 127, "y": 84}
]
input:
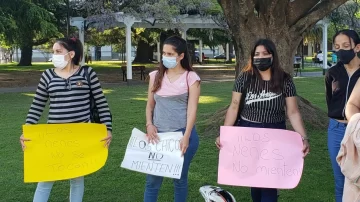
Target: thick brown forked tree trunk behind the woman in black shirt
[{"x": 284, "y": 22}]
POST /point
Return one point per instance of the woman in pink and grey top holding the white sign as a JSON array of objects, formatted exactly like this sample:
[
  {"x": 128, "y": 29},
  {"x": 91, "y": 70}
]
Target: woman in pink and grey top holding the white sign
[{"x": 173, "y": 96}]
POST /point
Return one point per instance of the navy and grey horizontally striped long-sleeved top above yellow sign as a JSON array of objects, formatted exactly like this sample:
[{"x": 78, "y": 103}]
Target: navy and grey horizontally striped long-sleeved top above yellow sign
[{"x": 69, "y": 99}]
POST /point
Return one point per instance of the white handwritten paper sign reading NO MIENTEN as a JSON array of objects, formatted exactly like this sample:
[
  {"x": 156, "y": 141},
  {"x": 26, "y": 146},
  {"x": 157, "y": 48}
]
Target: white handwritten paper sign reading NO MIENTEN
[{"x": 161, "y": 159}]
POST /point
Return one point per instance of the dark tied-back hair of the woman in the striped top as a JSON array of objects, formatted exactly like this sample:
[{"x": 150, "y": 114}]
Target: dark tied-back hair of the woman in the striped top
[{"x": 72, "y": 44}]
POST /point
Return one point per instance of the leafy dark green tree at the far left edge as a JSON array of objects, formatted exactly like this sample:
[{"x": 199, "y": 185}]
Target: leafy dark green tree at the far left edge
[{"x": 33, "y": 23}]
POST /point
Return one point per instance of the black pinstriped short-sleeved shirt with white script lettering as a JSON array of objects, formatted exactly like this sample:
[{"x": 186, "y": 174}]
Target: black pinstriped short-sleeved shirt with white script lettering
[{"x": 261, "y": 104}]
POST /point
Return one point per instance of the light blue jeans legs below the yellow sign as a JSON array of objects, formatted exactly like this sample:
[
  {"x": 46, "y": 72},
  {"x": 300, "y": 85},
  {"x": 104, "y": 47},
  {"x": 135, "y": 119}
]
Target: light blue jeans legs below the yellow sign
[{"x": 43, "y": 190}]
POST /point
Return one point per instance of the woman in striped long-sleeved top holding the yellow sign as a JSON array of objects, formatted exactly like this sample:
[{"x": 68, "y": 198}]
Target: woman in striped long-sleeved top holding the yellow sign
[{"x": 65, "y": 86}]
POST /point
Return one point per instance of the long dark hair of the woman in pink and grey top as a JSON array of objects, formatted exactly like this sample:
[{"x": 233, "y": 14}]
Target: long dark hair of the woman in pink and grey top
[{"x": 180, "y": 46}]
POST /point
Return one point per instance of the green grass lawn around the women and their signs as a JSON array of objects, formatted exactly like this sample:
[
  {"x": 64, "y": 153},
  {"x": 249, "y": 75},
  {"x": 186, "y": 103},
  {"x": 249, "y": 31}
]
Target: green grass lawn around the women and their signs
[{"x": 114, "y": 184}]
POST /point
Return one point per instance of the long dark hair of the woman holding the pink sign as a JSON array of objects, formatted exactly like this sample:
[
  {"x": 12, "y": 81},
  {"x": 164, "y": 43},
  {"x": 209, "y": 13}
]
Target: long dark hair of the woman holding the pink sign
[{"x": 278, "y": 75}]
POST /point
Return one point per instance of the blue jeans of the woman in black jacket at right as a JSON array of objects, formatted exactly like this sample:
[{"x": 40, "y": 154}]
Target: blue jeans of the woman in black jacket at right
[{"x": 336, "y": 132}]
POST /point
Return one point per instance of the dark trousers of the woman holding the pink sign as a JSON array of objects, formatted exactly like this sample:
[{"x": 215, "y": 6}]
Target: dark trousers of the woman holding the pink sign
[{"x": 263, "y": 194}]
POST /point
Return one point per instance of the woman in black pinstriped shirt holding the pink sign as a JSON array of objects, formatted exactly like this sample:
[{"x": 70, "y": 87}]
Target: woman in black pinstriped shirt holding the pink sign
[{"x": 263, "y": 90}]
